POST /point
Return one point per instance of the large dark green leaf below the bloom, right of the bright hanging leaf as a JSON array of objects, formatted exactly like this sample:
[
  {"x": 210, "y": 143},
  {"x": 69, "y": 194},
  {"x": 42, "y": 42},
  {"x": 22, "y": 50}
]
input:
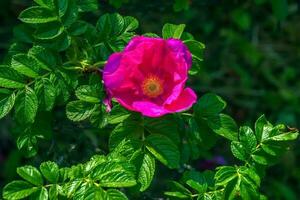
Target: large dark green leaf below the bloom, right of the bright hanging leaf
[{"x": 164, "y": 150}]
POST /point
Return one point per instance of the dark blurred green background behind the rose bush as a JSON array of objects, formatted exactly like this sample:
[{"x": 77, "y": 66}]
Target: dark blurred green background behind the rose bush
[{"x": 251, "y": 59}]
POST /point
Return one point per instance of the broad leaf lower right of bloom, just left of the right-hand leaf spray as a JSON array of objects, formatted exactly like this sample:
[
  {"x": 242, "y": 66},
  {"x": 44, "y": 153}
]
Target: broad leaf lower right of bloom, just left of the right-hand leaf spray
[{"x": 223, "y": 125}]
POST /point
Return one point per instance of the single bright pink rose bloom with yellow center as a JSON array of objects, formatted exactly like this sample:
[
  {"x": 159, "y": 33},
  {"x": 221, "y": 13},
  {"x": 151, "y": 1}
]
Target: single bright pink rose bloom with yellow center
[{"x": 149, "y": 76}]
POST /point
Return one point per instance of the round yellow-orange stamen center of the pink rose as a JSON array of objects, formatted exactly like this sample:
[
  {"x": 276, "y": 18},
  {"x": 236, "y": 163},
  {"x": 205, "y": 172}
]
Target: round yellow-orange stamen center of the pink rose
[{"x": 152, "y": 86}]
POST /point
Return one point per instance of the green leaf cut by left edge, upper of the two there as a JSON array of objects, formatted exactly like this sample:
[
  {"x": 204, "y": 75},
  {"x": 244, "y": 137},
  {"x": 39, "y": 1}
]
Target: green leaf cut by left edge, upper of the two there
[{"x": 9, "y": 78}]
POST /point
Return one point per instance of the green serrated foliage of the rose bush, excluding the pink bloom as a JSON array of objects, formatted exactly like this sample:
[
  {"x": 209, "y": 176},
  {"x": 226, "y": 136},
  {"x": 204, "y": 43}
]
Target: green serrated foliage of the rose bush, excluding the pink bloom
[{"x": 55, "y": 64}]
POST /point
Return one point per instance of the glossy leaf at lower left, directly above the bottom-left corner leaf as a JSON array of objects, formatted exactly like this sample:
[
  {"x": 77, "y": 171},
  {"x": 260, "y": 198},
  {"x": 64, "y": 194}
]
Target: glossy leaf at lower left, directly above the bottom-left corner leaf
[{"x": 31, "y": 174}]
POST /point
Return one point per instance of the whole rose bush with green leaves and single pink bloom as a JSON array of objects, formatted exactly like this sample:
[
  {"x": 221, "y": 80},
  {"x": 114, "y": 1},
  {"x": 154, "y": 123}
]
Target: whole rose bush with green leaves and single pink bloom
[{"x": 60, "y": 74}]
